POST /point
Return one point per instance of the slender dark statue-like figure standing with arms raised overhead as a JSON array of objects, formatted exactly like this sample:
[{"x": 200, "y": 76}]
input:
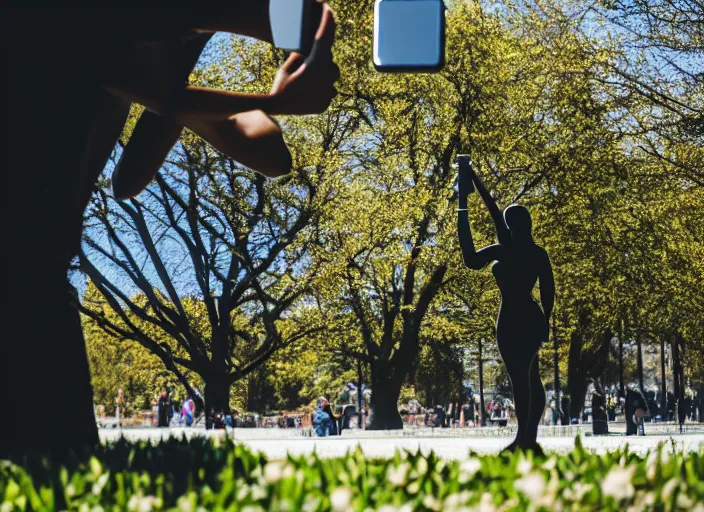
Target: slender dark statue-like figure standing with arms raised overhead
[{"x": 521, "y": 325}]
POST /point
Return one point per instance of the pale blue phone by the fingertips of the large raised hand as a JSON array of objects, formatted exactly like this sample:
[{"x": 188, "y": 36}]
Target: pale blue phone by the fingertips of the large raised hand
[{"x": 294, "y": 23}]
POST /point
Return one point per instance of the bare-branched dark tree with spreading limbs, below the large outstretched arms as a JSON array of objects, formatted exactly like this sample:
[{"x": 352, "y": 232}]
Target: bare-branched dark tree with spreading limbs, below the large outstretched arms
[{"x": 226, "y": 232}]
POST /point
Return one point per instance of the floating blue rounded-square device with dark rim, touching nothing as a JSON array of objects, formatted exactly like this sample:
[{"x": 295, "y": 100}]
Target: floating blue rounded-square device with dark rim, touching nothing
[{"x": 409, "y": 35}]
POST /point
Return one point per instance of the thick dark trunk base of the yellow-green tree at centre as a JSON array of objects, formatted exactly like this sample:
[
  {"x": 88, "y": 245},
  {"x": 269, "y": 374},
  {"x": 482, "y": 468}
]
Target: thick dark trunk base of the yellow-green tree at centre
[{"x": 385, "y": 392}]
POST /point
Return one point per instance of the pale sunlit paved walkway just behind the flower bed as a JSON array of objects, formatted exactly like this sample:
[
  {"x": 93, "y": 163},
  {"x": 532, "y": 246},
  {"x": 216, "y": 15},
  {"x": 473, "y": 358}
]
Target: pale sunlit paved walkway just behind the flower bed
[{"x": 385, "y": 446}]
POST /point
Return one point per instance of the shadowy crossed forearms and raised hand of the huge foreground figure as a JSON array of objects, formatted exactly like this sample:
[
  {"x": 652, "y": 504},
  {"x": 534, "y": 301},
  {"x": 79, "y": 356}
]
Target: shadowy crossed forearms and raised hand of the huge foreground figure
[{"x": 235, "y": 124}]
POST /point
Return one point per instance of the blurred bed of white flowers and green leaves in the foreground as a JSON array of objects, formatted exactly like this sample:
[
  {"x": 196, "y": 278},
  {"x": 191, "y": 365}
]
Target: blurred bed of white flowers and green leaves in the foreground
[{"x": 199, "y": 473}]
